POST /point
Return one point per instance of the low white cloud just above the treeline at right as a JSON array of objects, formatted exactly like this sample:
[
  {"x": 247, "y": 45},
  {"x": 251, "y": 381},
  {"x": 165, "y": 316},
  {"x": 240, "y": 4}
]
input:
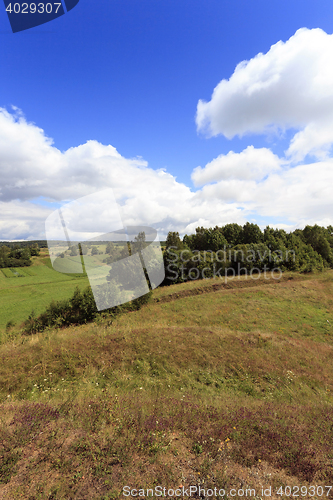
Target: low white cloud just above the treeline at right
[{"x": 302, "y": 194}]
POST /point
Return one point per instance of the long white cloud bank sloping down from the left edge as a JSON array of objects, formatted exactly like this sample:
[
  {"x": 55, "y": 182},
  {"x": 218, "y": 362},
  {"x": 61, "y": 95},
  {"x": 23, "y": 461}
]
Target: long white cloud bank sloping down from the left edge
[{"x": 32, "y": 167}]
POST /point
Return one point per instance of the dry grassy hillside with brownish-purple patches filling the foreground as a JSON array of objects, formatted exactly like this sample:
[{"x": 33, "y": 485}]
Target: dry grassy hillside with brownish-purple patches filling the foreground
[{"x": 211, "y": 384}]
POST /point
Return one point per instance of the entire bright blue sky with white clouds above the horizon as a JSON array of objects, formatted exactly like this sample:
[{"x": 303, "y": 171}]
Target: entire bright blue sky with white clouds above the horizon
[{"x": 195, "y": 113}]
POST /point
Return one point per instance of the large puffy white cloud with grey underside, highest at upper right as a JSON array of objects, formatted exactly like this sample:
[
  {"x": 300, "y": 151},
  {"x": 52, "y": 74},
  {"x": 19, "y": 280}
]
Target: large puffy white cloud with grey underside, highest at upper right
[{"x": 291, "y": 86}]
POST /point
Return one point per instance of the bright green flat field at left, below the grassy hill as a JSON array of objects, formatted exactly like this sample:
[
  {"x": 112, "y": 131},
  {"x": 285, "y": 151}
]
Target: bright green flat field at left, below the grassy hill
[{"x": 25, "y": 288}]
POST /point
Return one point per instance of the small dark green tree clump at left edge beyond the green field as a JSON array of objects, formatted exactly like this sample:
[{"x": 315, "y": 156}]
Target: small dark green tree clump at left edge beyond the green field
[{"x": 17, "y": 254}]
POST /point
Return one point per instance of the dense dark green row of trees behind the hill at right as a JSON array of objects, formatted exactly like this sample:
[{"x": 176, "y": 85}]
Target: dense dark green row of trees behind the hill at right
[{"x": 233, "y": 249}]
